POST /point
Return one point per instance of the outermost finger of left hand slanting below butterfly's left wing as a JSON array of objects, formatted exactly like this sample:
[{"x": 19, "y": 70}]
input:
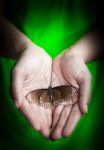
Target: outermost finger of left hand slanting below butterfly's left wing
[{"x": 30, "y": 115}]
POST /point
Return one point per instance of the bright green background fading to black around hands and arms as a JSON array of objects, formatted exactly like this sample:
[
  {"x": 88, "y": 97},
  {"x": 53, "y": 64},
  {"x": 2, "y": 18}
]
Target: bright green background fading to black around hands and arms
[{"x": 53, "y": 25}]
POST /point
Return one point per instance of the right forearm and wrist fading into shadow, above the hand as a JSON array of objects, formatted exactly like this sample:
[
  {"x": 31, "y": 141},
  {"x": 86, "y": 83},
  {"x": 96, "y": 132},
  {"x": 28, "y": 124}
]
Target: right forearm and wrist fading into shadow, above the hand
[{"x": 88, "y": 48}]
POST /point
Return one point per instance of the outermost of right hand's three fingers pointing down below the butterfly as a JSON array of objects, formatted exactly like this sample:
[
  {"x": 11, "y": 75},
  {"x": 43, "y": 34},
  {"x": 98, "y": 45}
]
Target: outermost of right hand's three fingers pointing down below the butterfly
[{"x": 71, "y": 121}]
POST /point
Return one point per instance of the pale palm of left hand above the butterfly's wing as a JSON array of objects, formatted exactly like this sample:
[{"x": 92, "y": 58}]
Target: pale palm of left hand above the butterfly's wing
[{"x": 37, "y": 72}]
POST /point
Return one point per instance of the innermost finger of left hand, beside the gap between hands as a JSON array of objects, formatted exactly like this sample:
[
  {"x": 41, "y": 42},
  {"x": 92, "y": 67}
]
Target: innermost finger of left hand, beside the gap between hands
[{"x": 44, "y": 129}]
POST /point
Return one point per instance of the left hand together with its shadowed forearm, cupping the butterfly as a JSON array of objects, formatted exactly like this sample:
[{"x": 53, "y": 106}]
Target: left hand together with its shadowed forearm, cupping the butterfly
[{"x": 32, "y": 71}]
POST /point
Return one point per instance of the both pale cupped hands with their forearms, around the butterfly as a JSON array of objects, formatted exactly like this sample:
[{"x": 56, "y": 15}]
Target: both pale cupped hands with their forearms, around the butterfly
[{"x": 34, "y": 70}]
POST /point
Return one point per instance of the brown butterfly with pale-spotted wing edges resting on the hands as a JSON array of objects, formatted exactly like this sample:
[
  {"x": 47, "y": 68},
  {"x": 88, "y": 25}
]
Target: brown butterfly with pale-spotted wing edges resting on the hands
[{"x": 53, "y": 96}]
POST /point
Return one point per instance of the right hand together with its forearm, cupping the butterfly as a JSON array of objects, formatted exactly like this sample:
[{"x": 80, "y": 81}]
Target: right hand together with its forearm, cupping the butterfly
[{"x": 69, "y": 68}]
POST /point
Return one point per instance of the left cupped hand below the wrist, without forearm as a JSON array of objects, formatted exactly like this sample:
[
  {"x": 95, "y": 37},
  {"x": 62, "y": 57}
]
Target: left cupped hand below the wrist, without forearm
[{"x": 32, "y": 71}]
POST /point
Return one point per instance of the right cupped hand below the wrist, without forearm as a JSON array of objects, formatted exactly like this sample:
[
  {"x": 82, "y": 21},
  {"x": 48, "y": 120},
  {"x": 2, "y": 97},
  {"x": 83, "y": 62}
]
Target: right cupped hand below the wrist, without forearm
[{"x": 69, "y": 69}]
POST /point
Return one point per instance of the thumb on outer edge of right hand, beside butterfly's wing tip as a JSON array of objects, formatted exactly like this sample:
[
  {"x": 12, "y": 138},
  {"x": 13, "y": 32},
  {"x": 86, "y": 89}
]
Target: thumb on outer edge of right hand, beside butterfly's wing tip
[{"x": 84, "y": 96}]
